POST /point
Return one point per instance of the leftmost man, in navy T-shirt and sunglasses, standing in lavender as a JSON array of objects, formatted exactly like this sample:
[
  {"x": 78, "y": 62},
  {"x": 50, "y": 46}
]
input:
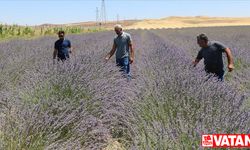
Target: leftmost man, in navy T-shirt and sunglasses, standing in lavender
[{"x": 62, "y": 47}]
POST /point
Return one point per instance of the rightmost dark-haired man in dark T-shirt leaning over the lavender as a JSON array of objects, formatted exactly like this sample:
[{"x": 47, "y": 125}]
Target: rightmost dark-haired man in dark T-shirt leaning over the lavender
[{"x": 212, "y": 51}]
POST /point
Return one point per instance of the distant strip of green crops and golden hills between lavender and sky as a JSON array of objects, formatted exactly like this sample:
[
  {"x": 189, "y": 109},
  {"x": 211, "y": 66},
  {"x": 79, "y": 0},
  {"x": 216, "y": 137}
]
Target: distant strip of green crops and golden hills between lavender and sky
[{"x": 15, "y": 31}]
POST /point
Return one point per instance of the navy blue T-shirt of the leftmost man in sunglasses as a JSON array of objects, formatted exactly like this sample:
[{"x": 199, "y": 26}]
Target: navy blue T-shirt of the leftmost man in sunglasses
[{"x": 63, "y": 48}]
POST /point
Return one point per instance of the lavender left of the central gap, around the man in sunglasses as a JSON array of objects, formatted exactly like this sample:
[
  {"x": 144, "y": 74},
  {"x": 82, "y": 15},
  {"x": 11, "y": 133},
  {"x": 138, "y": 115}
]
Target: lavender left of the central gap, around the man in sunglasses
[{"x": 62, "y": 105}]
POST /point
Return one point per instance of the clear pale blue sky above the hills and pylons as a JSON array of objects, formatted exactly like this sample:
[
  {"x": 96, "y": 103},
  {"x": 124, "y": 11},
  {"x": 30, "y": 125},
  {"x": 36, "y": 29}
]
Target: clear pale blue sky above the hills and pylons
[{"x": 36, "y": 12}]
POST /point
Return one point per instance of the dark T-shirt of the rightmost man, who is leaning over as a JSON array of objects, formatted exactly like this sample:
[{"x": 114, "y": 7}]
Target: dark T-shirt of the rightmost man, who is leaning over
[{"x": 212, "y": 55}]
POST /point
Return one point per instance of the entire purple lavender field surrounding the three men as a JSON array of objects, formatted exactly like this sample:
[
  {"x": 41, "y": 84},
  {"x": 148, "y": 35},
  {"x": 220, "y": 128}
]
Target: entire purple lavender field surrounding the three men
[{"x": 87, "y": 104}]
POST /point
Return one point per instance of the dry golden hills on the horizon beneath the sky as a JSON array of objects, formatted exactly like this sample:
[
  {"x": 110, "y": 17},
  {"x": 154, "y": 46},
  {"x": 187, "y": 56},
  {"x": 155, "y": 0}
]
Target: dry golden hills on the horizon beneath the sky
[{"x": 175, "y": 22}]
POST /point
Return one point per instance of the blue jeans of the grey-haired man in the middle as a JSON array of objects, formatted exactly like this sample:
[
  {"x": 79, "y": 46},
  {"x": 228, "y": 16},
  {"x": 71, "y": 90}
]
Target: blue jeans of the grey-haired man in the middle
[{"x": 123, "y": 63}]
